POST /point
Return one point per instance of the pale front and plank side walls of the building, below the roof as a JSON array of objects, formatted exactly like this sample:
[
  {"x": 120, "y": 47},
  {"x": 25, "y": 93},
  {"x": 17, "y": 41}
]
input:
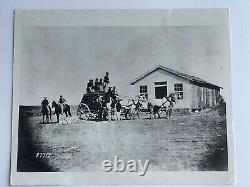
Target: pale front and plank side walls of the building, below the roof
[{"x": 194, "y": 96}]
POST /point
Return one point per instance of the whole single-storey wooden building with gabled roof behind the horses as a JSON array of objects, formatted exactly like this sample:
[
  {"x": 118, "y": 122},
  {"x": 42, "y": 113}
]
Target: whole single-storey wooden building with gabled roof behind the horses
[{"x": 194, "y": 92}]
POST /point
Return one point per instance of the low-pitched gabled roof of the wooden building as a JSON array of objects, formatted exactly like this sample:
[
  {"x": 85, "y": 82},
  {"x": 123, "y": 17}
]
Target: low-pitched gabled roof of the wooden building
[{"x": 185, "y": 76}]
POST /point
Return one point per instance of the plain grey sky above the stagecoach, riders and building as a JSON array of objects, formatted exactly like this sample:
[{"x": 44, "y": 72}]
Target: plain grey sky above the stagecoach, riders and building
[{"x": 61, "y": 60}]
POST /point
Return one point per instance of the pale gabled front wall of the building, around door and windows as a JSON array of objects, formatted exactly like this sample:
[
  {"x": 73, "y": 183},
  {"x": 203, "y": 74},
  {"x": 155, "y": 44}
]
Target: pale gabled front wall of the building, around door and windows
[{"x": 161, "y": 75}]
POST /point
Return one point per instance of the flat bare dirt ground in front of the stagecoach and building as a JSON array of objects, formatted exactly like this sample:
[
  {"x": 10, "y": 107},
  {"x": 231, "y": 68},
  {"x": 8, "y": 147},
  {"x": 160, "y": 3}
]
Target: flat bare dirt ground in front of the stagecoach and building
[{"x": 189, "y": 142}]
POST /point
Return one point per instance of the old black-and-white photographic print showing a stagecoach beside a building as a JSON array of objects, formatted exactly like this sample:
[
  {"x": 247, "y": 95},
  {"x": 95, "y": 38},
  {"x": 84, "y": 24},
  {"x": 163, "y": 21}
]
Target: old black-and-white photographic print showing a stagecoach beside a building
[{"x": 120, "y": 98}]
